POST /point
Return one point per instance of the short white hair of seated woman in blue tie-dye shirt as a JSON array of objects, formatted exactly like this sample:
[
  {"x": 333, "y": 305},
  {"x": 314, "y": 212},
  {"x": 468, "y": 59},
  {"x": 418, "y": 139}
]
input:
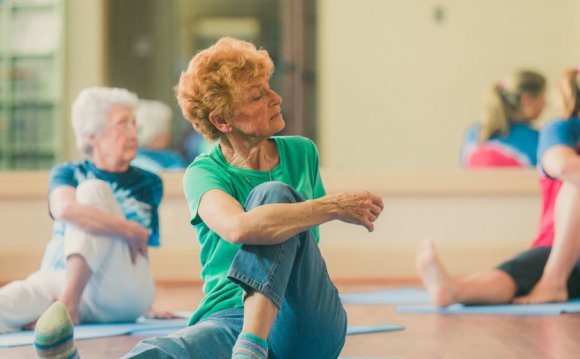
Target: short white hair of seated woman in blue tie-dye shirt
[{"x": 90, "y": 111}]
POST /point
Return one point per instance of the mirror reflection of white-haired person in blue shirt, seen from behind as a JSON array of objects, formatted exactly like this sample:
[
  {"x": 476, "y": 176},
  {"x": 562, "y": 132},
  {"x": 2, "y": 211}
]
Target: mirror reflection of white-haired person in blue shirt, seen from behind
[{"x": 154, "y": 134}]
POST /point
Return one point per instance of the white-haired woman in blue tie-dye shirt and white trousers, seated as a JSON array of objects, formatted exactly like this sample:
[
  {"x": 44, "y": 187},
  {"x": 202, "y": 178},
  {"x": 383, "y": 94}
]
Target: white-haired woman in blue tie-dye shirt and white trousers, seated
[{"x": 105, "y": 215}]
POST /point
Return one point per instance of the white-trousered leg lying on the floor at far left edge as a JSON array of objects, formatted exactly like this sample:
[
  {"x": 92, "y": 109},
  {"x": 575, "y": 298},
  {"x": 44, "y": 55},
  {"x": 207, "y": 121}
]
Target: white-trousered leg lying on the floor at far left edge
[{"x": 23, "y": 301}]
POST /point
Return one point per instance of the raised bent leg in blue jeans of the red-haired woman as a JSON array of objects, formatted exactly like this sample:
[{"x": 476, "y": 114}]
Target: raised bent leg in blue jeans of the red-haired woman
[{"x": 311, "y": 322}]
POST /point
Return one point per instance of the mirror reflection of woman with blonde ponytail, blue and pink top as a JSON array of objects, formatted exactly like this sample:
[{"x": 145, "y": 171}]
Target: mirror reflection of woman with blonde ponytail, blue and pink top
[{"x": 506, "y": 137}]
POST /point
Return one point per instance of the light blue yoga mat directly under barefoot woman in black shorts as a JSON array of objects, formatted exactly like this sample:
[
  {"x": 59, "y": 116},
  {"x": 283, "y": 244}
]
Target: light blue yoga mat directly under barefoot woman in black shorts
[{"x": 572, "y": 306}]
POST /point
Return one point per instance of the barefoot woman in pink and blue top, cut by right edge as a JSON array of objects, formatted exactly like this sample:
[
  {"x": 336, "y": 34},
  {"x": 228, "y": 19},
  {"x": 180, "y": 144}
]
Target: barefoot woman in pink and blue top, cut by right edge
[{"x": 550, "y": 270}]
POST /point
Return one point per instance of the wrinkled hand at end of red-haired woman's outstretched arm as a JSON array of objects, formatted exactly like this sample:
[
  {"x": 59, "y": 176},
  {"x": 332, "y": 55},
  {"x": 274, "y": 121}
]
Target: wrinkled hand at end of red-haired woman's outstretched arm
[{"x": 362, "y": 208}]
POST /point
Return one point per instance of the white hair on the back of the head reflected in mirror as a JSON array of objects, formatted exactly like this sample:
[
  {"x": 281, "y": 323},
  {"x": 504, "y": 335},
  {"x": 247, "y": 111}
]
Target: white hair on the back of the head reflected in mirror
[{"x": 153, "y": 119}]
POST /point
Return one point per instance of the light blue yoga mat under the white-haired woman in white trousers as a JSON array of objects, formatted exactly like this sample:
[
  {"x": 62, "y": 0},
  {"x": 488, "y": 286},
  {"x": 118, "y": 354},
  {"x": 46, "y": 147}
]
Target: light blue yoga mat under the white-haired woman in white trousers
[{"x": 90, "y": 331}]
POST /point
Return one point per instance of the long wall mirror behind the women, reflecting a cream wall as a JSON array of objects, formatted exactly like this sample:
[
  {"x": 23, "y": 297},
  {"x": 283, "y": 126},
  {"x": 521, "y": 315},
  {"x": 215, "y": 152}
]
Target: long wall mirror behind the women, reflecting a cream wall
[{"x": 379, "y": 85}]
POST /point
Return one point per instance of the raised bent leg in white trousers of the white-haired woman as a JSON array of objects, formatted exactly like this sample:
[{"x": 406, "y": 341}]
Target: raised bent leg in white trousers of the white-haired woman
[{"x": 100, "y": 273}]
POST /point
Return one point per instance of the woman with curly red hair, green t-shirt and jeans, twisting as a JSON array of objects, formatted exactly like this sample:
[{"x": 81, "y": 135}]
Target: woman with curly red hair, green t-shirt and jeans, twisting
[{"x": 256, "y": 201}]
